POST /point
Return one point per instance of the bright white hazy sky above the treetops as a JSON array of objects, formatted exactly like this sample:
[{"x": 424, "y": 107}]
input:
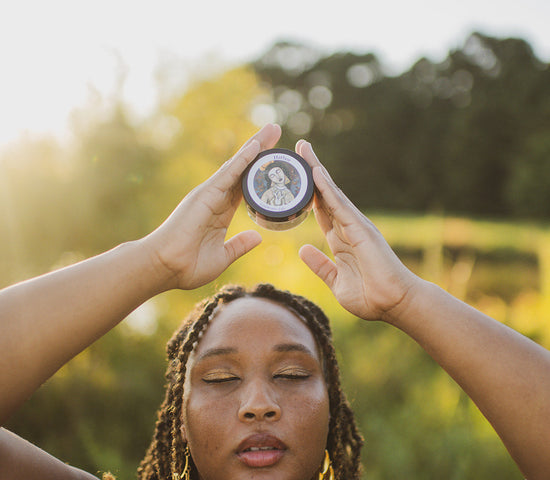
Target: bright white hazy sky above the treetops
[{"x": 55, "y": 55}]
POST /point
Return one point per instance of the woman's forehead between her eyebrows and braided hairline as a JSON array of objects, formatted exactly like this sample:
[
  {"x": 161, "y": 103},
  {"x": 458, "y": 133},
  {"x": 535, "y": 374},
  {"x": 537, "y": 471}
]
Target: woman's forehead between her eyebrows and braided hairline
[{"x": 255, "y": 323}]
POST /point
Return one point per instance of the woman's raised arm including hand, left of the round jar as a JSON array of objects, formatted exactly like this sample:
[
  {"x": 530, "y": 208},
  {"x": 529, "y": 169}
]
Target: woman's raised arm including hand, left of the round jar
[{"x": 46, "y": 321}]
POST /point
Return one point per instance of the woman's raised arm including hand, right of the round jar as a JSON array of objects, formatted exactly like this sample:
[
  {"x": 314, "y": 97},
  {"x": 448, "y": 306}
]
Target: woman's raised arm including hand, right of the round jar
[{"x": 505, "y": 374}]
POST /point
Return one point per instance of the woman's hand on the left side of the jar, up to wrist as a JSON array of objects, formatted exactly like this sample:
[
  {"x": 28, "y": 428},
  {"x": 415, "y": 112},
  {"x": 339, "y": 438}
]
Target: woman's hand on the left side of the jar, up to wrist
[{"x": 190, "y": 245}]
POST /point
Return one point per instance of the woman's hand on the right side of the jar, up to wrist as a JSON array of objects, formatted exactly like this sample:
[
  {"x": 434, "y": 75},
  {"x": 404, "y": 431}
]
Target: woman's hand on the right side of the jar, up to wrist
[{"x": 366, "y": 276}]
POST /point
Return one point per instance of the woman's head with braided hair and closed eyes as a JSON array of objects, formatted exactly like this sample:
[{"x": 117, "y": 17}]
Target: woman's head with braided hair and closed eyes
[{"x": 254, "y": 375}]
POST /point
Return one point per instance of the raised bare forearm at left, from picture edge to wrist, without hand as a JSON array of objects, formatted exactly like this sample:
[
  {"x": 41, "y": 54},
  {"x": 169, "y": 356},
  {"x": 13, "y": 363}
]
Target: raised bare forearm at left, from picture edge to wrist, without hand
[{"x": 47, "y": 320}]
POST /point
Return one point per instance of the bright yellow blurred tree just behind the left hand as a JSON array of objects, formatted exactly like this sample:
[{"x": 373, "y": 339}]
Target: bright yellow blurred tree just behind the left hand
[{"x": 206, "y": 126}]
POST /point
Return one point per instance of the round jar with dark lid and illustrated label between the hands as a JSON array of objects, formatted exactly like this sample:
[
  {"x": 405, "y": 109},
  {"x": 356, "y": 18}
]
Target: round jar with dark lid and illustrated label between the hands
[{"x": 278, "y": 189}]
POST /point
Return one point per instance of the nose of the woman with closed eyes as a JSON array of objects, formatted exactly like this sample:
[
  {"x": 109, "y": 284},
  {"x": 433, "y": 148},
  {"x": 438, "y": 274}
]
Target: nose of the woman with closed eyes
[{"x": 258, "y": 403}]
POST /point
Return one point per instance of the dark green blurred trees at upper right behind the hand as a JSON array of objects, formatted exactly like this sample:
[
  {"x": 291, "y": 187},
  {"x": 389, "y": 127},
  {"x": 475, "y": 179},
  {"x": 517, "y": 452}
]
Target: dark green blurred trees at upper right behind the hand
[{"x": 455, "y": 135}]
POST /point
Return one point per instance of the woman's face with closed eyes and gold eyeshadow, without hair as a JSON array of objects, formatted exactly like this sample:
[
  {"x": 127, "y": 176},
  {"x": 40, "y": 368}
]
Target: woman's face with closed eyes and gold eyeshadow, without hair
[{"x": 256, "y": 404}]
